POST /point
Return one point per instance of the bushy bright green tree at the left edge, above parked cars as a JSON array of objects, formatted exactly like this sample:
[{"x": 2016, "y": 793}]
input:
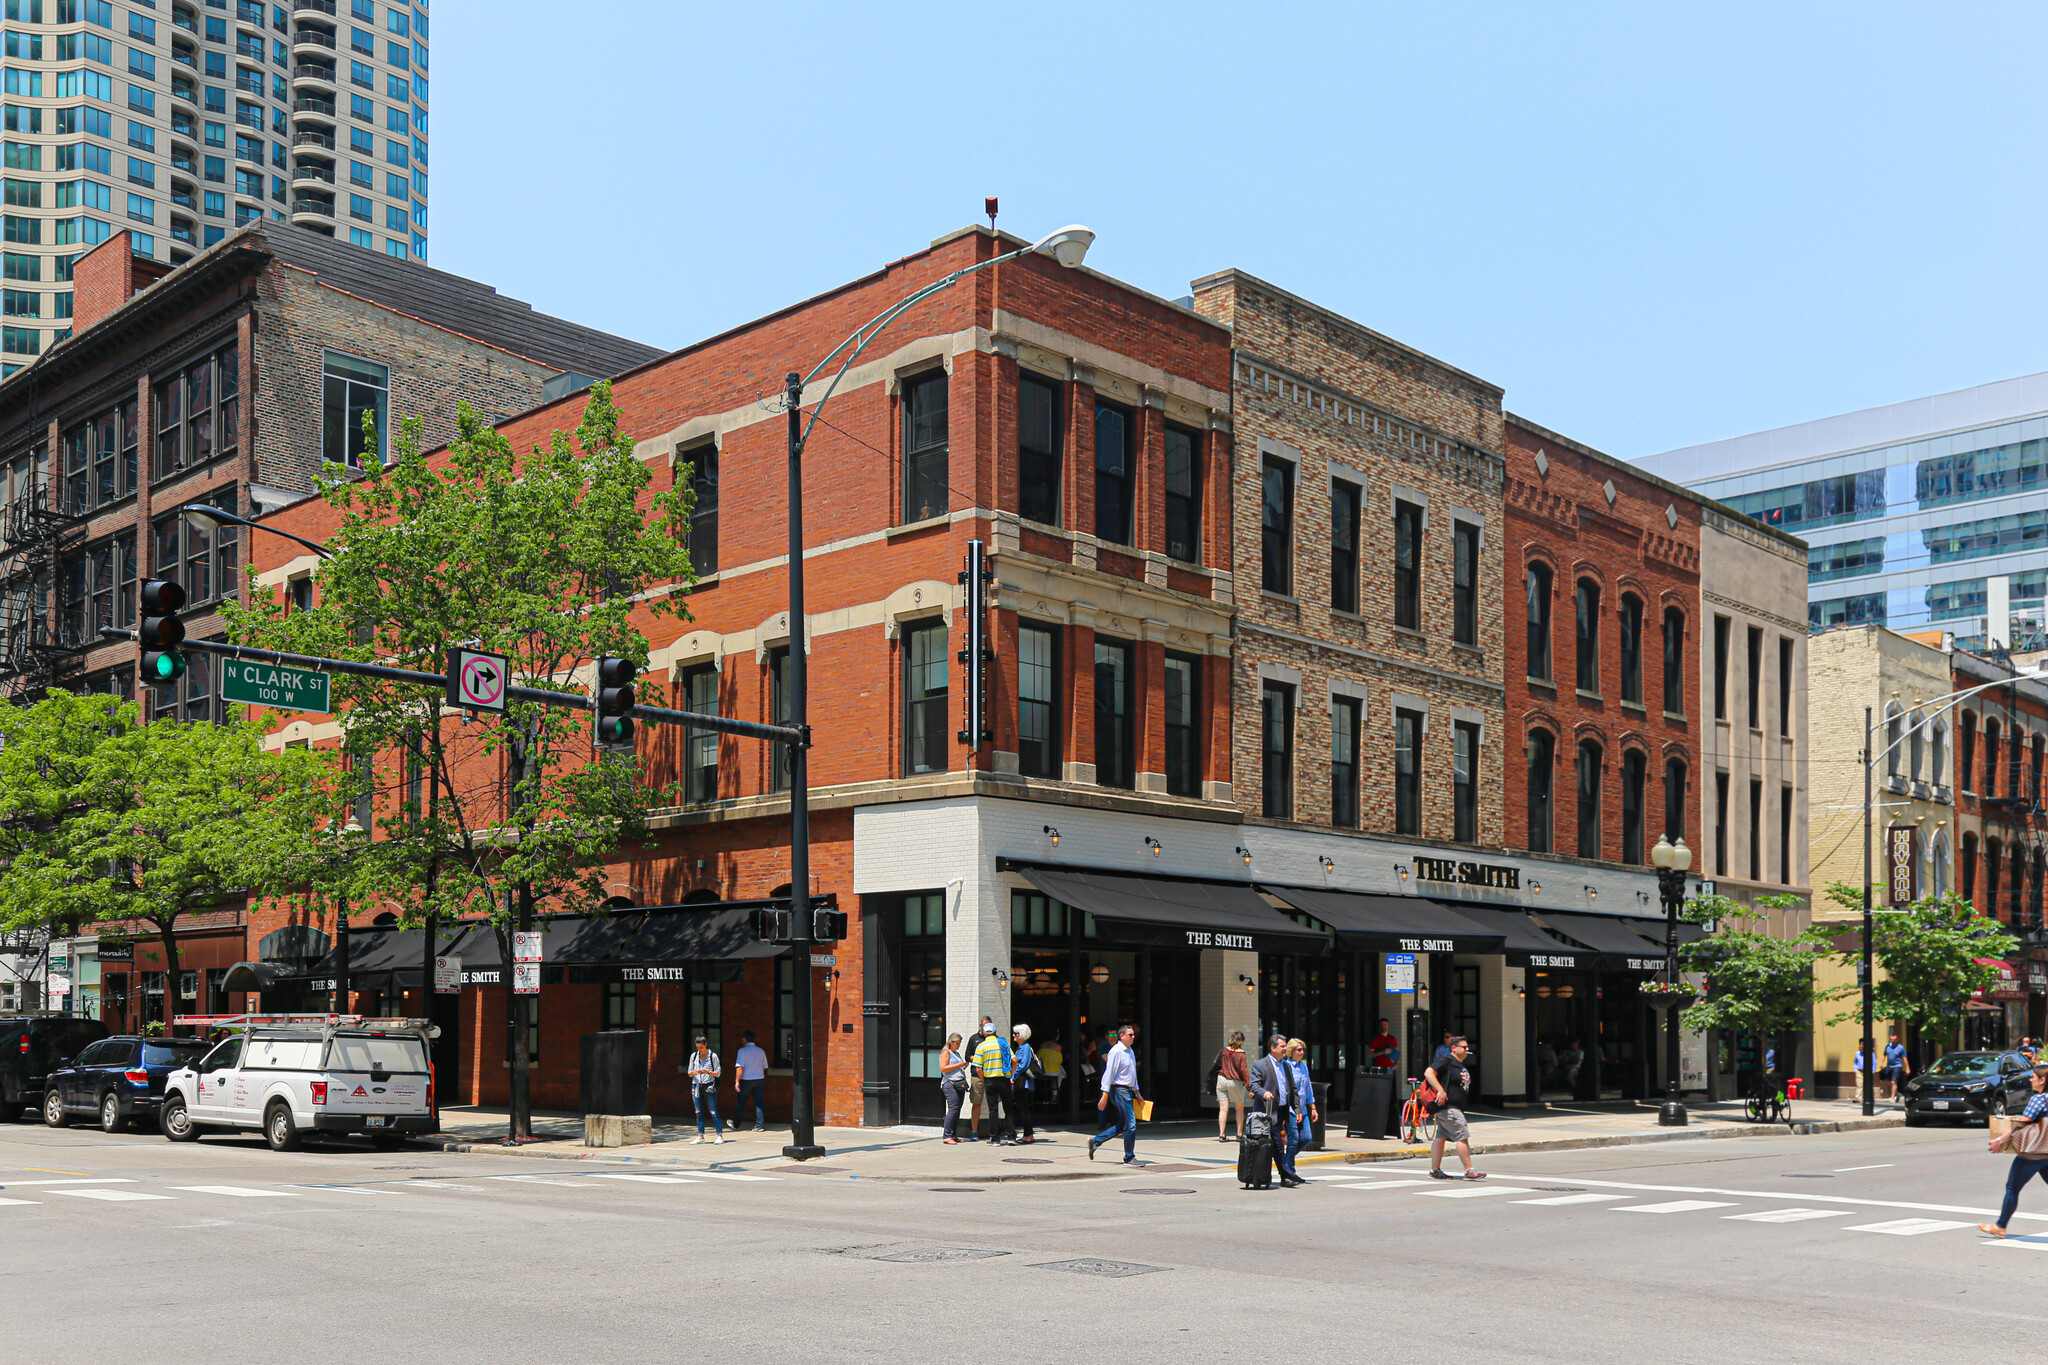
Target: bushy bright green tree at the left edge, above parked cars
[{"x": 108, "y": 820}]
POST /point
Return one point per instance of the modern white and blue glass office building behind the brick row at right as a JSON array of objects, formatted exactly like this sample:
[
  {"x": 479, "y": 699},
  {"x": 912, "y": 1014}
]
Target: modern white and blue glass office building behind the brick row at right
[{"x": 1908, "y": 511}]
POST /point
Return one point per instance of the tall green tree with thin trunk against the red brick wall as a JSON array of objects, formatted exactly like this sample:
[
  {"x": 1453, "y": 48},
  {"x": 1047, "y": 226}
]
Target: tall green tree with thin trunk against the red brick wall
[{"x": 544, "y": 560}]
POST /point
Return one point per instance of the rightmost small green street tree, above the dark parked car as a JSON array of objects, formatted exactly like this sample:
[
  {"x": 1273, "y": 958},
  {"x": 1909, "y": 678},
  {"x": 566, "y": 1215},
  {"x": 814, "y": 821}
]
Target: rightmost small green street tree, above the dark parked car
[{"x": 1930, "y": 955}]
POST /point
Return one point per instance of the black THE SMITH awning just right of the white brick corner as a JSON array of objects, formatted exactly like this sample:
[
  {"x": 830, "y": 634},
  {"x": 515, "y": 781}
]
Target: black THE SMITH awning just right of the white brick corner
[{"x": 1158, "y": 914}]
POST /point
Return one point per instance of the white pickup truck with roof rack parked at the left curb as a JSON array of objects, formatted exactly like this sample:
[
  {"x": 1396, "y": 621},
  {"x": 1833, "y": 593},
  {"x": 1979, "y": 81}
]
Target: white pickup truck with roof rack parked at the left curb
[{"x": 343, "y": 1075}]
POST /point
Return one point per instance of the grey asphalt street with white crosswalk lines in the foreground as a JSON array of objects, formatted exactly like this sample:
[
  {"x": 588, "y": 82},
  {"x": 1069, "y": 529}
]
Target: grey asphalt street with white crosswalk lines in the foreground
[{"x": 1750, "y": 1249}]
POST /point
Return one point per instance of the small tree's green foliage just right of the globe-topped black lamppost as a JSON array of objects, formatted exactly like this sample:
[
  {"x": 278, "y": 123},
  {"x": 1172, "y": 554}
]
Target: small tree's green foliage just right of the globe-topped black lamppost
[{"x": 1756, "y": 983}]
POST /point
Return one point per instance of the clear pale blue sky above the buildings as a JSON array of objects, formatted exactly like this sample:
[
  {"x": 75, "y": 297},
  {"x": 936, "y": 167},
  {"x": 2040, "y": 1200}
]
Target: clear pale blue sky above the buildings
[{"x": 1650, "y": 224}]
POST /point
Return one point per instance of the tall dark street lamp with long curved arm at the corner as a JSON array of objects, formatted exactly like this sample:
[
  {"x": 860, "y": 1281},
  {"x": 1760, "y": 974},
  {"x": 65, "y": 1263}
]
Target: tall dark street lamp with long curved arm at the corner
[{"x": 1068, "y": 247}]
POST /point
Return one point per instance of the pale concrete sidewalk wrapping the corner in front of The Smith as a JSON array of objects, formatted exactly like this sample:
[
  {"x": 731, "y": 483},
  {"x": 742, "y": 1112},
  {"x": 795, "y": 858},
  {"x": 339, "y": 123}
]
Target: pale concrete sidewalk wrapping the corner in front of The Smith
[{"x": 921, "y": 1157}]
